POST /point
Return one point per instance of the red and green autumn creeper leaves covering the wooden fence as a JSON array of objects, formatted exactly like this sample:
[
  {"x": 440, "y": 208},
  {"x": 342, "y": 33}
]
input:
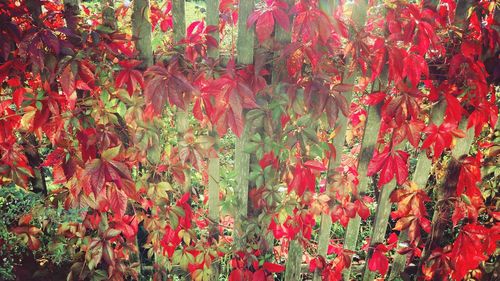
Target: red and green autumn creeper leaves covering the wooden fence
[{"x": 86, "y": 124}]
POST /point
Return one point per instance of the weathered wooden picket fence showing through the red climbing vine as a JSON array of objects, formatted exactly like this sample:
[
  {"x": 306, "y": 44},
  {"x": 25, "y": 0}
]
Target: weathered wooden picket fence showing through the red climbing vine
[{"x": 245, "y": 55}]
